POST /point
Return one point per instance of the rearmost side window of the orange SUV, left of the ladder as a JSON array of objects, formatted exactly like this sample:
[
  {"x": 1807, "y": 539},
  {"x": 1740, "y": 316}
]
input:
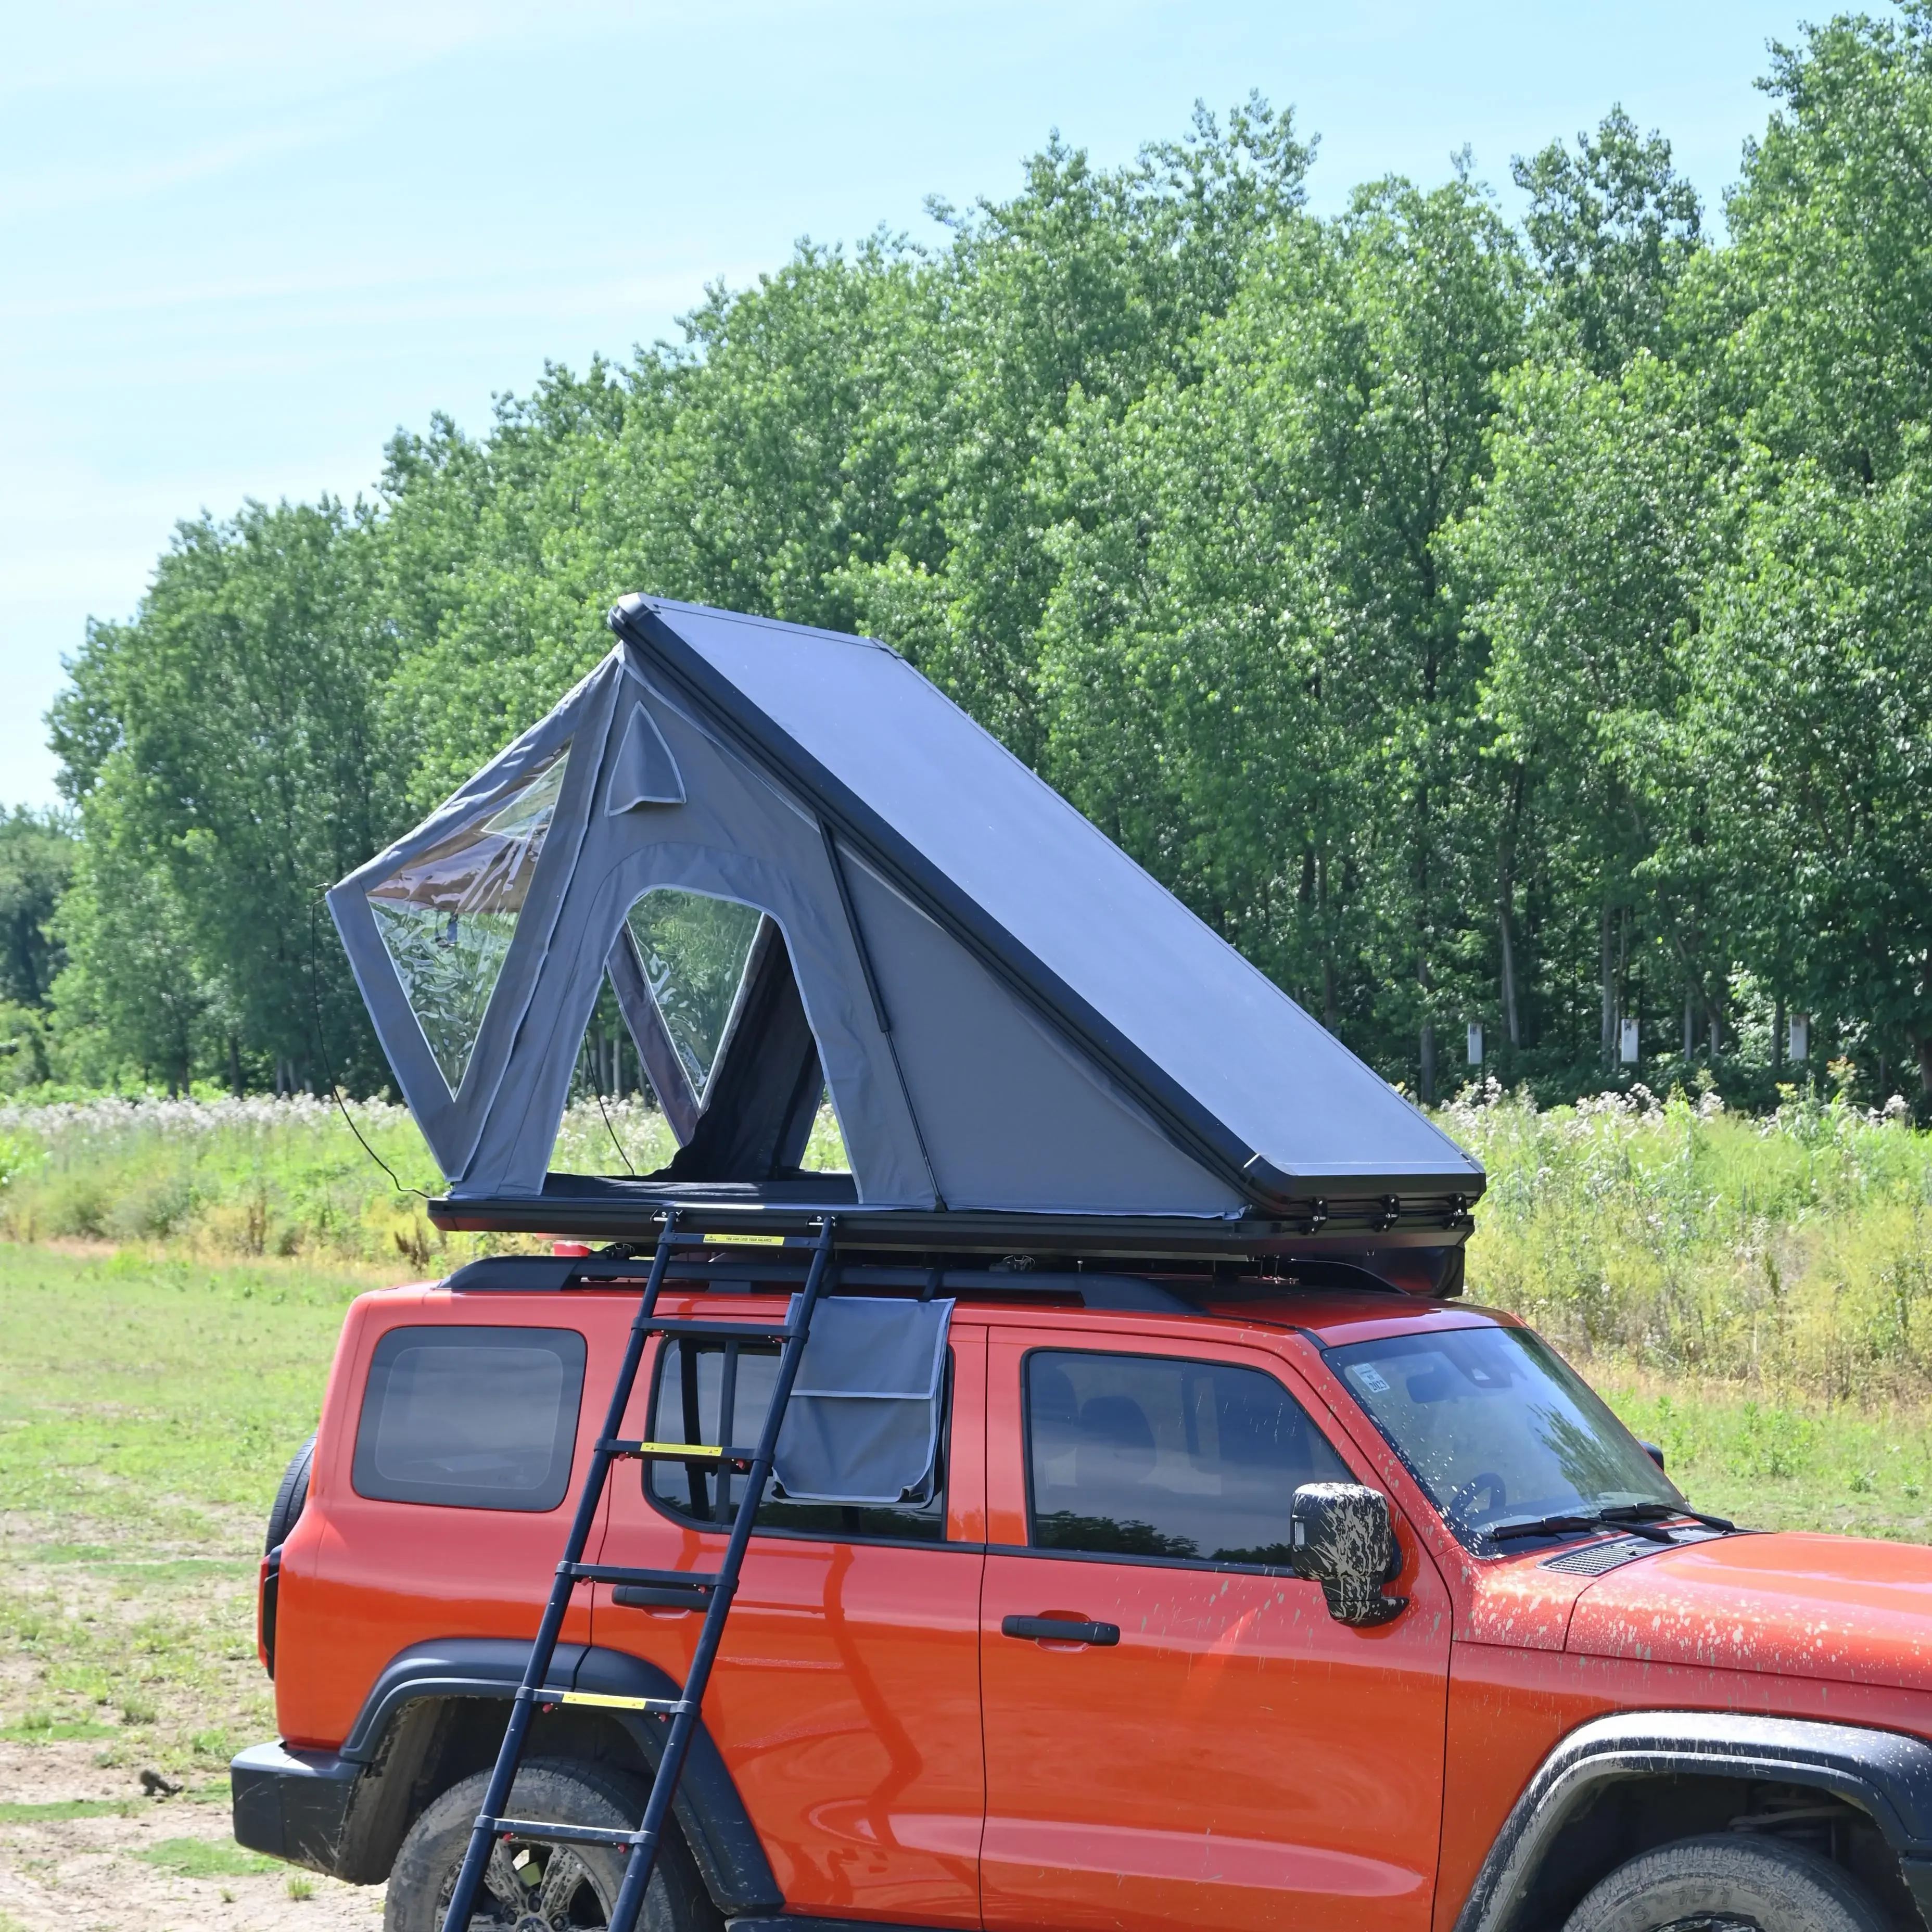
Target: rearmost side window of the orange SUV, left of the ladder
[{"x": 476, "y": 1417}]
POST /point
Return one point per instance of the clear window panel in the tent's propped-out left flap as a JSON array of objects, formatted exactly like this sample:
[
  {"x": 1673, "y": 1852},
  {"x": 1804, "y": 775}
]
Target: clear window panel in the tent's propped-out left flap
[{"x": 447, "y": 917}]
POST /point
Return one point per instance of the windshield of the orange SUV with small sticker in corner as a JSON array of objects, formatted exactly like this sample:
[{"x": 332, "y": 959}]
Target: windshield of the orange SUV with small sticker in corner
[{"x": 1498, "y": 1429}]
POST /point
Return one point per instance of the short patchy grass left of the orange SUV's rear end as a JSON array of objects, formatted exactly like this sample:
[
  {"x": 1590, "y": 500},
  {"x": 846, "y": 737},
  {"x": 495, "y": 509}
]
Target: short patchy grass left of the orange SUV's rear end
[{"x": 148, "y": 1407}]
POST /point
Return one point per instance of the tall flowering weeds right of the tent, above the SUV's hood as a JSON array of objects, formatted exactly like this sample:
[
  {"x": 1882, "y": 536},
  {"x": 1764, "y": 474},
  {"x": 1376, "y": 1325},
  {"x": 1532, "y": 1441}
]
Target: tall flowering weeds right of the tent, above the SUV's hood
[{"x": 1782, "y": 1253}]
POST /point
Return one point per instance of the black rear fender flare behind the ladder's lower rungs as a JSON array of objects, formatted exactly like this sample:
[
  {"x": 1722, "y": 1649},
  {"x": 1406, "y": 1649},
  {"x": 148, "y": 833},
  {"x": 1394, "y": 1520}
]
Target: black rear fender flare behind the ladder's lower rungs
[{"x": 708, "y": 1805}]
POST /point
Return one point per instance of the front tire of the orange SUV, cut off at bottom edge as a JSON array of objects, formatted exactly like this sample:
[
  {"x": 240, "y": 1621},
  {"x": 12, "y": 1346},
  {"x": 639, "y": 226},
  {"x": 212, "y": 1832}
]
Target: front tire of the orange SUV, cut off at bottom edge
[{"x": 1728, "y": 1883}]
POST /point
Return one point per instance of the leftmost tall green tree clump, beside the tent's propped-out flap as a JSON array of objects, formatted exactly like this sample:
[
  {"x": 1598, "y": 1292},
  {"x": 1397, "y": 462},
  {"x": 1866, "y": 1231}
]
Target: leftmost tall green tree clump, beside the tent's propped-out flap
[{"x": 225, "y": 758}]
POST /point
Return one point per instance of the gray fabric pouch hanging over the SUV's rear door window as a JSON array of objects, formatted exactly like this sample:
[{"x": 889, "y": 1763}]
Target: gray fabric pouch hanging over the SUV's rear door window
[{"x": 863, "y": 1425}]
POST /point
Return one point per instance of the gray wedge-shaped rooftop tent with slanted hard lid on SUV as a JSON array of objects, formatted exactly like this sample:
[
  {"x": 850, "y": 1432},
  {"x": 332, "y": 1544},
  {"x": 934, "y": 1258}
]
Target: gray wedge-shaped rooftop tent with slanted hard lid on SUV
[{"x": 809, "y": 872}]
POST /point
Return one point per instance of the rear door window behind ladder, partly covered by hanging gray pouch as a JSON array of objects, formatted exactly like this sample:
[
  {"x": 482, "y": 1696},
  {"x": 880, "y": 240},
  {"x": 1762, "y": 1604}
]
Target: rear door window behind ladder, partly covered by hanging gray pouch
[{"x": 720, "y": 1392}]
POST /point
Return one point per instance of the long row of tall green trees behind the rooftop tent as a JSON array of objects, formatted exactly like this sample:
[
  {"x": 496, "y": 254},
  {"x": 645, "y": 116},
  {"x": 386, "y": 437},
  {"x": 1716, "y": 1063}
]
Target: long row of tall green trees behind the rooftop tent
[{"x": 1479, "y": 623}]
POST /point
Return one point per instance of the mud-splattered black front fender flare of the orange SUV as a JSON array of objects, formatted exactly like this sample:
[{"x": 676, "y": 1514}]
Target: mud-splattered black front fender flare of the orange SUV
[{"x": 1883, "y": 1773}]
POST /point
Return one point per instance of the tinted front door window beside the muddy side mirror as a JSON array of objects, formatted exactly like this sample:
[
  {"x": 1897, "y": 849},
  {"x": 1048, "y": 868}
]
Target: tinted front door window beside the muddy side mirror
[{"x": 1156, "y": 1458}]
